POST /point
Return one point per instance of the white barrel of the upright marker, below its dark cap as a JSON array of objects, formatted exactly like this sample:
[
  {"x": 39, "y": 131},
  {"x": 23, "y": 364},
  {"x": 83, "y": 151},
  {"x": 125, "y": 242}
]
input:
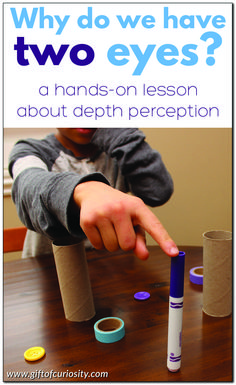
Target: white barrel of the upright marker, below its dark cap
[{"x": 174, "y": 334}]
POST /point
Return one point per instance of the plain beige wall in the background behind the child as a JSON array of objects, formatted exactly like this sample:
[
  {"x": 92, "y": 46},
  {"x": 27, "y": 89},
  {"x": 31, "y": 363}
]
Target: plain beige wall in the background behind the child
[{"x": 200, "y": 162}]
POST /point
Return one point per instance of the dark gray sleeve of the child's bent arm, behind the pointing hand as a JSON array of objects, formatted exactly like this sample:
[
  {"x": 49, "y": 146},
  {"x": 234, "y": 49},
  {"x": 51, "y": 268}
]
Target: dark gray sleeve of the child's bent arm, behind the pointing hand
[{"x": 142, "y": 166}]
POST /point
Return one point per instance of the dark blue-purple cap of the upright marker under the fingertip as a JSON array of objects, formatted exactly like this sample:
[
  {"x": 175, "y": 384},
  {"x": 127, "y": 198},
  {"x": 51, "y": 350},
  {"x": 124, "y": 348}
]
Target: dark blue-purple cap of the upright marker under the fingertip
[{"x": 177, "y": 275}]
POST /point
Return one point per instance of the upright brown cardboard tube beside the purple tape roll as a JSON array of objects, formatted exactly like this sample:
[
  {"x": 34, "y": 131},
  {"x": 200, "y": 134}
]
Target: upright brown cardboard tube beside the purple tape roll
[{"x": 217, "y": 277}]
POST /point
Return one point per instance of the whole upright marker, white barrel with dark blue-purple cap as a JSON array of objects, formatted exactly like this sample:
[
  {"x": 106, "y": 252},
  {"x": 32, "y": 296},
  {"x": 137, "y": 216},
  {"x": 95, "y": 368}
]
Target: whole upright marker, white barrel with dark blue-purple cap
[{"x": 175, "y": 312}]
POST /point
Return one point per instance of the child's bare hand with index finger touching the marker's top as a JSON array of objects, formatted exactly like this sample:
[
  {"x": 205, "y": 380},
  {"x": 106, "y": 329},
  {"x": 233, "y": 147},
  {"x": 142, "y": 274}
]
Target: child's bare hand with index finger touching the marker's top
[{"x": 113, "y": 219}]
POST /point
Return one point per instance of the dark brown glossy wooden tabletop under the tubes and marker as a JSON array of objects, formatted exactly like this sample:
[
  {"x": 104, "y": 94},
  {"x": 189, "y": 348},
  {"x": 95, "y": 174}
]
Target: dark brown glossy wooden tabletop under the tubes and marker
[{"x": 33, "y": 316}]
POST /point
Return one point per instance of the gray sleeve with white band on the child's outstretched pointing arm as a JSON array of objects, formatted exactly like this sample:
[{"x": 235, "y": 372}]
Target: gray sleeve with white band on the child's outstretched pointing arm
[{"x": 43, "y": 198}]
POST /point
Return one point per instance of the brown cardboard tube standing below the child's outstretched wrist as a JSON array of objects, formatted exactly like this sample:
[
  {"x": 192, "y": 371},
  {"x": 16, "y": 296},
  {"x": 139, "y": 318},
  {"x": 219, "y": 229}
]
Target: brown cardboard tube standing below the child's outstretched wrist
[{"x": 74, "y": 282}]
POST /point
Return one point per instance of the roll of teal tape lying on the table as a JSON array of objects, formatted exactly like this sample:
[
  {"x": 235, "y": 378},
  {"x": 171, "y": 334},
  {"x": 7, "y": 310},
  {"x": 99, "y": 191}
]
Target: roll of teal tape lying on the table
[{"x": 109, "y": 330}]
